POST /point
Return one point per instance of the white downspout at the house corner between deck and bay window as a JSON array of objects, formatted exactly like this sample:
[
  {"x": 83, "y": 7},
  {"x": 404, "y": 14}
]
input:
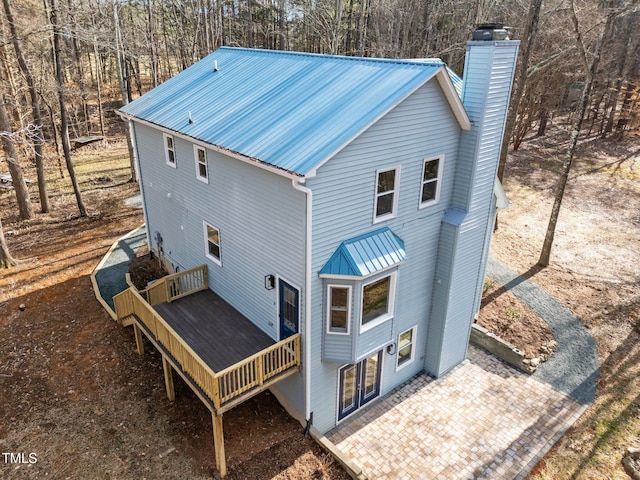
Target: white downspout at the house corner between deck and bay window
[{"x": 308, "y": 415}]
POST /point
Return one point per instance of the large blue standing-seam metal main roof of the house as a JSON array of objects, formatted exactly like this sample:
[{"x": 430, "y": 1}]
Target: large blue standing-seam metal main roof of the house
[{"x": 289, "y": 110}]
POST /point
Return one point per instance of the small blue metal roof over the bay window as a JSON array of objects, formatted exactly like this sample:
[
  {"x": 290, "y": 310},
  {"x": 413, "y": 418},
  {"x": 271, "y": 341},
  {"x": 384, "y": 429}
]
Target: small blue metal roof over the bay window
[{"x": 367, "y": 254}]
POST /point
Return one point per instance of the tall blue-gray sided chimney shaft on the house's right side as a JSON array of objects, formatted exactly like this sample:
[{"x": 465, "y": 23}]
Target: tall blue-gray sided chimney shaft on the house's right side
[{"x": 488, "y": 75}]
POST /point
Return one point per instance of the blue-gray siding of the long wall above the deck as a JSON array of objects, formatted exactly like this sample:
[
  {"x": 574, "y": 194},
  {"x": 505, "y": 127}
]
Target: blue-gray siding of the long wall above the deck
[{"x": 260, "y": 216}]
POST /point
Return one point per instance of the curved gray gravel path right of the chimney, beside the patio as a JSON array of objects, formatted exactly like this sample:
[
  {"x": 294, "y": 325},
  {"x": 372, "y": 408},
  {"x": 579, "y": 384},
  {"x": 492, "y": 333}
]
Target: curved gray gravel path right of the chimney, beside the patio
[{"x": 573, "y": 369}]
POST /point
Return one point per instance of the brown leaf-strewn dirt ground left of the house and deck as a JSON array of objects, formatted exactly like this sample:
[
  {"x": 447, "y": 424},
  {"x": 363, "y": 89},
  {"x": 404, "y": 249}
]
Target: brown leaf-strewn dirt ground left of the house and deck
[{"x": 73, "y": 392}]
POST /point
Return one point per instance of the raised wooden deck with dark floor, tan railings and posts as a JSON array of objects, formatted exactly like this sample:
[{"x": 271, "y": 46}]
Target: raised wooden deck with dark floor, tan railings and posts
[{"x": 221, "y": 355}]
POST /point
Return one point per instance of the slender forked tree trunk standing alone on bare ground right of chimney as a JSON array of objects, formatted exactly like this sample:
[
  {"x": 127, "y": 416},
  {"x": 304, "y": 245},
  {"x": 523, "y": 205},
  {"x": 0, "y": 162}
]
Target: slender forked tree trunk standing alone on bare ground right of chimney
[{"x": 590, "y": 71}]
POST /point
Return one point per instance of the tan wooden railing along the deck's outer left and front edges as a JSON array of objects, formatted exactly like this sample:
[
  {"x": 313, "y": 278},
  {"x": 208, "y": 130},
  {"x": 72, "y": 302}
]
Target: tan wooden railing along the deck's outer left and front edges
[{"x": 221, "y": 387}]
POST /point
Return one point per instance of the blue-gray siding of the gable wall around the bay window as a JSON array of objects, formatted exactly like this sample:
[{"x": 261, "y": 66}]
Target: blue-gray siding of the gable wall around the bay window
[{"x": 343, "y": 198}]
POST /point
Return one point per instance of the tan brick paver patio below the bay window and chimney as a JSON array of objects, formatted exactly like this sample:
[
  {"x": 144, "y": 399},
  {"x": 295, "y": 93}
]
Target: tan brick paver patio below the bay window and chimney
[{"x": 483, "y": 420}]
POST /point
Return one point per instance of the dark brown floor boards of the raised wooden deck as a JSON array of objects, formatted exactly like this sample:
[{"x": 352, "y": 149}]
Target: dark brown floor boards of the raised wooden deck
[{"x": 216, "y": 331}]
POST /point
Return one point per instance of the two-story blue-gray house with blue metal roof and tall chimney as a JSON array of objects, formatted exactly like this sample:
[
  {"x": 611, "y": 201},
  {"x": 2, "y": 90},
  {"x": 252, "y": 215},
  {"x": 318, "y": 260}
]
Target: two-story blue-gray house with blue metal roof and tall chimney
[{"x": 348, "y": 200}]
